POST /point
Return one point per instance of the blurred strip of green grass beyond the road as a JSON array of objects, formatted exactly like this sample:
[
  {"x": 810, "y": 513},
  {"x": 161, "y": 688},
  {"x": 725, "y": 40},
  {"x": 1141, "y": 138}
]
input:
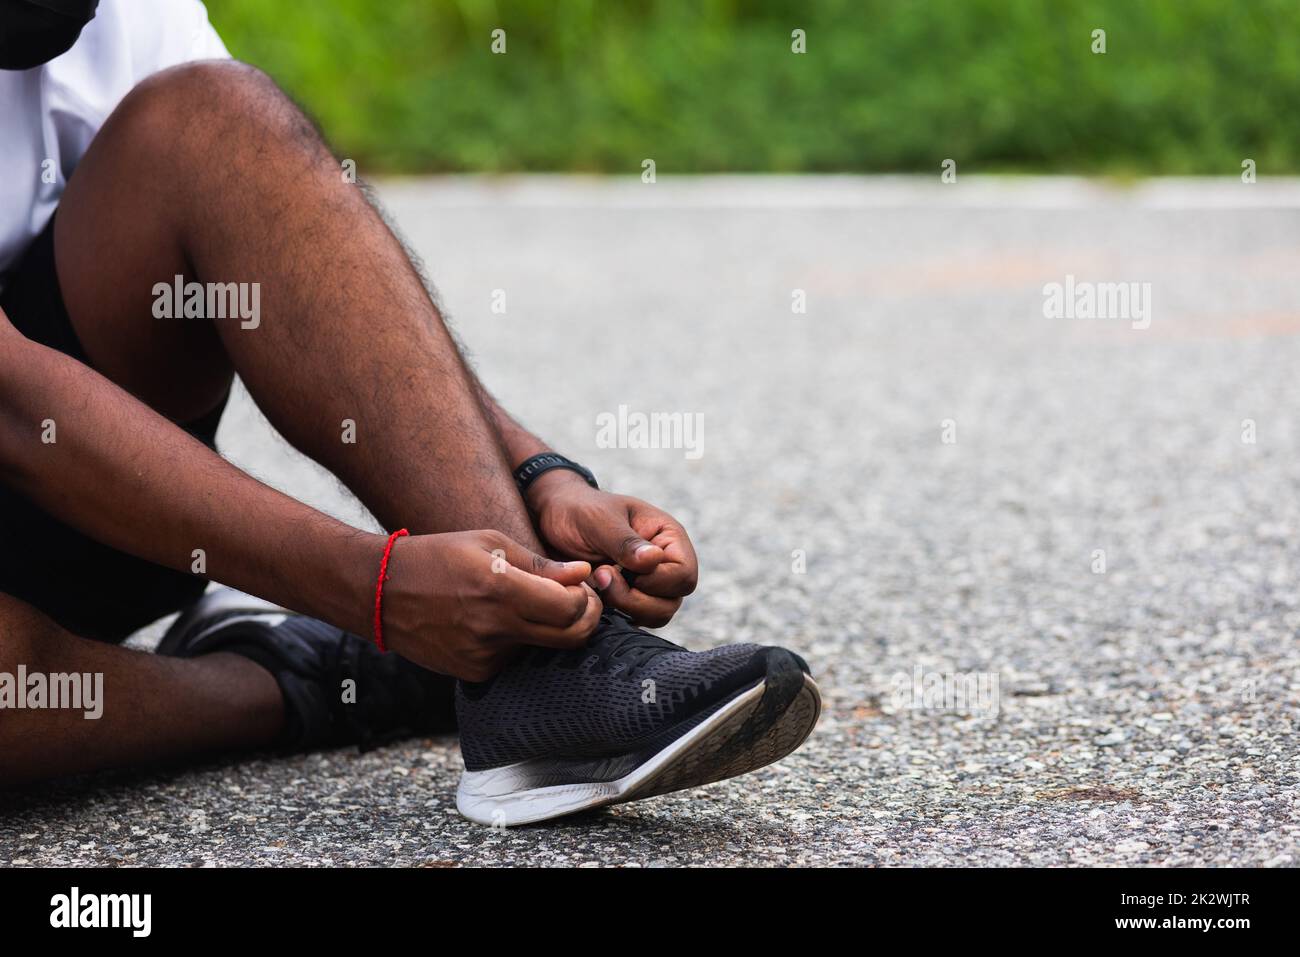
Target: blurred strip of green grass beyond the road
[{"x": 1186, "y": 86}]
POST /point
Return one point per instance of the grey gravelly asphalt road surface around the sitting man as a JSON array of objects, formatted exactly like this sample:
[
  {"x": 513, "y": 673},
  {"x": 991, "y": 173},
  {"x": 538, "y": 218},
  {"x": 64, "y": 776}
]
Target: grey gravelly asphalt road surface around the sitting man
[{"x": 1146, "y": 714}]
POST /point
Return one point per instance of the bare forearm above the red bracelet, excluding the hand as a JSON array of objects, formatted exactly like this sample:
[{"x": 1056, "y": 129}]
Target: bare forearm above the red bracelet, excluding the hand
[{"x": 105, "y": 464}]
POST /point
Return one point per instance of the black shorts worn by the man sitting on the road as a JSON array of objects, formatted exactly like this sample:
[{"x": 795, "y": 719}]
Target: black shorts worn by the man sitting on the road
[{"x": 88, "y": 588}]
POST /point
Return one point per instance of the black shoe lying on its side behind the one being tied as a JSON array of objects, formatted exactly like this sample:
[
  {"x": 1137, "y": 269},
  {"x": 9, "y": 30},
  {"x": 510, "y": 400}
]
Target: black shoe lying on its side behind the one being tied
[{"x": 310, "y": 660}]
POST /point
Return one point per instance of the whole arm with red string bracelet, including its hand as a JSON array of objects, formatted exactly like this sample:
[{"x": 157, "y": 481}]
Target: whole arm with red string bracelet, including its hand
[{"x": 128, "y": 478}]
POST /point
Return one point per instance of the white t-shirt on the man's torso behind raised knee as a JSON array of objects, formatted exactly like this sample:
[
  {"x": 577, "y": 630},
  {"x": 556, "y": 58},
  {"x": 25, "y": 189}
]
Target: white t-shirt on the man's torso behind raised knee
[{"x": 50, "y": 114}]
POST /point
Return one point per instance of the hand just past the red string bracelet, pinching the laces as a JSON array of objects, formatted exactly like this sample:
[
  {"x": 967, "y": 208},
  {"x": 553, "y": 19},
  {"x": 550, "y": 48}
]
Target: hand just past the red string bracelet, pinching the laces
[{"x": 462, "y": 603}]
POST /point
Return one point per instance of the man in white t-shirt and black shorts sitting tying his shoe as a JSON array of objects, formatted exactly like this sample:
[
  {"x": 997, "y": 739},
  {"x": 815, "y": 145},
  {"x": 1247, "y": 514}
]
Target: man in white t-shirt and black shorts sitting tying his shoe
[{"x": 133, "y": 151}]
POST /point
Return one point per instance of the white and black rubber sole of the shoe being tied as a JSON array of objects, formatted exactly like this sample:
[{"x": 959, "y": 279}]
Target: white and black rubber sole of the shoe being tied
[{"x": 710, "y": 752}]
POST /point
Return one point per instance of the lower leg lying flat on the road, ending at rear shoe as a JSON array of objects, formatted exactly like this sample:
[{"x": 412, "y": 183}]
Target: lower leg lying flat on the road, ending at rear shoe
[{"x": 154, "y": 708}]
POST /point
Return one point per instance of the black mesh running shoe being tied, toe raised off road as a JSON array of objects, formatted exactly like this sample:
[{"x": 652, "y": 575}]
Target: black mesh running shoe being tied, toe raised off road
[{"x": 627, "y": 717}]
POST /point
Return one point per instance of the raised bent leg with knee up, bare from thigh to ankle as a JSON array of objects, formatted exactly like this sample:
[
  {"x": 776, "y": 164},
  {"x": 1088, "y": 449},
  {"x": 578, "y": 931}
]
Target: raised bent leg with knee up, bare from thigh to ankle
[{"x": 209, "y": 172}]
